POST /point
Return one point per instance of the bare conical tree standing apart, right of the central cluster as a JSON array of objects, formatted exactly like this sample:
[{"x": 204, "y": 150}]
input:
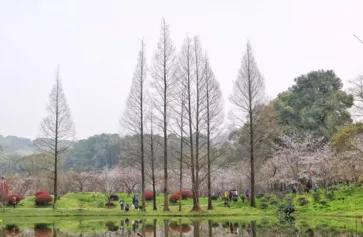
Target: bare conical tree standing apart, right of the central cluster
[{"x": 247, "y": 97}]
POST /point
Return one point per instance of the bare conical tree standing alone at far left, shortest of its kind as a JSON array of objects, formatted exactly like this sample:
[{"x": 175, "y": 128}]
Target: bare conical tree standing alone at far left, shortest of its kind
[{"x": 56, "y": 131}]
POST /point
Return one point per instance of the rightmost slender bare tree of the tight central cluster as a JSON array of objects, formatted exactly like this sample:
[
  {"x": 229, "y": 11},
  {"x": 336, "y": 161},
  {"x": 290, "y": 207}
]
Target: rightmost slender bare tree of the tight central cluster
[{"x": 213, "y": 119}]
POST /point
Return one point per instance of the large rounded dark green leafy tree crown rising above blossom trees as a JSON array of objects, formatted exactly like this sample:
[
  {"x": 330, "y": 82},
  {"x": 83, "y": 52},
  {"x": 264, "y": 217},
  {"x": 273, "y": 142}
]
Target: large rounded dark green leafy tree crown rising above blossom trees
[{"x": 316, "y": 103}]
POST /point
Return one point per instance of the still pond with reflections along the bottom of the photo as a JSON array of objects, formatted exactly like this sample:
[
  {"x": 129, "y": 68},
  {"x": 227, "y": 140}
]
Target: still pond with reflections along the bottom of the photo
[{"x": 237, "y": 226}]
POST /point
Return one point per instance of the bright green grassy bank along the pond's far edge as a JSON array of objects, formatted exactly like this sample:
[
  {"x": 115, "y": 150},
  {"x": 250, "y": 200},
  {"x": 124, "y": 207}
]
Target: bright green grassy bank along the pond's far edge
[{"x": 343, "y": 202}]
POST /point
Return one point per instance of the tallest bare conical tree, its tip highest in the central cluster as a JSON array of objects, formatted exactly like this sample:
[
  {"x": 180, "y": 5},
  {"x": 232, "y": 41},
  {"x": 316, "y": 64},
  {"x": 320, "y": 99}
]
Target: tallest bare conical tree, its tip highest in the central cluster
[{"x": 163, "y": 72}]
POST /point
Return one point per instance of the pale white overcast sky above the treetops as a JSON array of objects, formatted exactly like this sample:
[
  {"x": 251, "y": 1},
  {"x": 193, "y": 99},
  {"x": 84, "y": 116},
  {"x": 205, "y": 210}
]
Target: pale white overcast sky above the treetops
[{"x": 95, "y": 43}]
